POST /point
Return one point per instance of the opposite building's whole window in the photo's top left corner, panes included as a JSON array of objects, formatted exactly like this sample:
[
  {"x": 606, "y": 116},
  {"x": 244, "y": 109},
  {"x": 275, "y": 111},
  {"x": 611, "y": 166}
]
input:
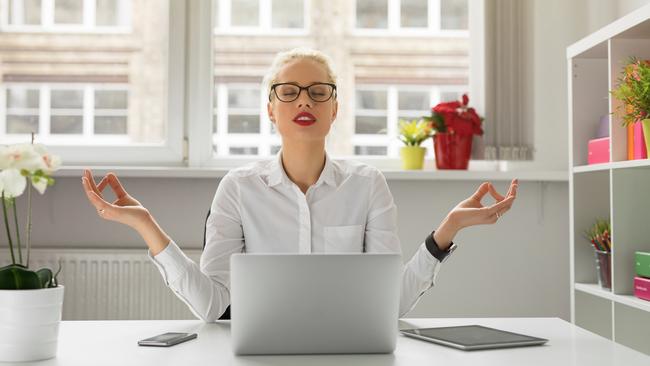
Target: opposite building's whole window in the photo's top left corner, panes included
[{"x": 65, "y": 15}]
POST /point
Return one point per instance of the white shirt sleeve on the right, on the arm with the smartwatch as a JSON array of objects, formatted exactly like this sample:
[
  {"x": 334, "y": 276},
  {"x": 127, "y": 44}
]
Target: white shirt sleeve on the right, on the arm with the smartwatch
[{"x": 419, "y": 273}]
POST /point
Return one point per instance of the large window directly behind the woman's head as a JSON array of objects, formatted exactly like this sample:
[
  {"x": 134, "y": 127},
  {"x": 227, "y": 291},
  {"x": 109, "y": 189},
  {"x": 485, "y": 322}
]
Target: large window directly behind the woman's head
[{"x": 380, "y": 80}]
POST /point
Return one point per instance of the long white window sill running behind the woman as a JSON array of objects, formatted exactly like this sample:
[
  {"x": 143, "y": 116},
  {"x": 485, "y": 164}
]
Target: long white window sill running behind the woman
[{"x": 495, "y": 174}]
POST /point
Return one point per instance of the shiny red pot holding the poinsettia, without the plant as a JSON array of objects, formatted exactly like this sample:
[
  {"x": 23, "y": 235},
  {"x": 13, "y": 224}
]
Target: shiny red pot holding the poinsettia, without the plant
[{"x": 452, "y": 150}]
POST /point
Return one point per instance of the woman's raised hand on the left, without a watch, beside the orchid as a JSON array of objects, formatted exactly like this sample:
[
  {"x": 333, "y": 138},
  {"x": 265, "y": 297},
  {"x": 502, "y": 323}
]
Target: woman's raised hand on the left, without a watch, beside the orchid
[{"x": 125, "y": 209}]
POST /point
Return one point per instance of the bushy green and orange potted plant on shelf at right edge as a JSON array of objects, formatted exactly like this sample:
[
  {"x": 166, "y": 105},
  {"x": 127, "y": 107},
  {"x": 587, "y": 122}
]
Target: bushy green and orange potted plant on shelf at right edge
[{"x": 632, "y": 91}]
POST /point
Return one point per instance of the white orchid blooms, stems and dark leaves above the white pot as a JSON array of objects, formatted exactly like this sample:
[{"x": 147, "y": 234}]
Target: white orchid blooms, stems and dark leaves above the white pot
[{"x": 24, "y": 166}]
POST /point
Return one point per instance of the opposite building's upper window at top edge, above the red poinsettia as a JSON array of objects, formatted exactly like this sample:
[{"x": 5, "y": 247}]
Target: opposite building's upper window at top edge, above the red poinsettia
[{"x": 412, "y": 17}]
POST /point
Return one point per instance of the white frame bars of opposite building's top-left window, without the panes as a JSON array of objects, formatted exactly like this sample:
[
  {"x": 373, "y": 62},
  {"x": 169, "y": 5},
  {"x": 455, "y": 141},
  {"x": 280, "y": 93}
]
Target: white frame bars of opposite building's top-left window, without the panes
[{"x": 87, "y": 25}]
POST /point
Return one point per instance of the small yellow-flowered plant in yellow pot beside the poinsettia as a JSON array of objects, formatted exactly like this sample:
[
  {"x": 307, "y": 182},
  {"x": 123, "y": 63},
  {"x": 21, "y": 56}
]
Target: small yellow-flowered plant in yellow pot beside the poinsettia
[{"x": 412, "y": 133}]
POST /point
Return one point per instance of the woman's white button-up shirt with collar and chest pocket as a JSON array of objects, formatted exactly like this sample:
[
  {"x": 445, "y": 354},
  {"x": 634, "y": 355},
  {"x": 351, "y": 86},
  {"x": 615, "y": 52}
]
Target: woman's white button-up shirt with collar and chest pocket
[{"x": 258, "y": 209}]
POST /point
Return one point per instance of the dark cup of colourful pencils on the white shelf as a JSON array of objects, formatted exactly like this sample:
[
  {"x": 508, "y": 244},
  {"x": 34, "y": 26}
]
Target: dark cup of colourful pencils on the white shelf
[{"x": 599, "y": 235}]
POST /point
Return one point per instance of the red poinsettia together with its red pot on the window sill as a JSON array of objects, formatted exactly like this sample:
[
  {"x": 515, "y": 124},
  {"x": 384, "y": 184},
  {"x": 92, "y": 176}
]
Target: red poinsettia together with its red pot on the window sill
[{"x": 454, "y": 124}]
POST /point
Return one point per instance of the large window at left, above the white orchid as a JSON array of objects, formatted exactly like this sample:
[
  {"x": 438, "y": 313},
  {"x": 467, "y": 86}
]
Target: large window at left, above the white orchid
[{"x": 99, "y": 96}]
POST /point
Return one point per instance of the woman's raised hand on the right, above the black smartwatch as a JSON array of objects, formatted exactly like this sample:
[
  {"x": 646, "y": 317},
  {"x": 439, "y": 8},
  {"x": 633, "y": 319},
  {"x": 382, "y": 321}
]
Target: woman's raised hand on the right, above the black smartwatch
[{"x": 471, "y": 211}]
